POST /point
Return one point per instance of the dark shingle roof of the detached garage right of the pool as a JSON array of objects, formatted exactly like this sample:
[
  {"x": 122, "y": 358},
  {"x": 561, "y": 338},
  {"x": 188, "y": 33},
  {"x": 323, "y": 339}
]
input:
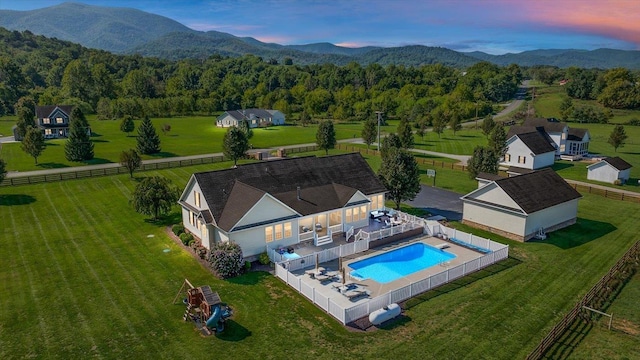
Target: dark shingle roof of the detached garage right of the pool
[{"x": 538, "y": 190}]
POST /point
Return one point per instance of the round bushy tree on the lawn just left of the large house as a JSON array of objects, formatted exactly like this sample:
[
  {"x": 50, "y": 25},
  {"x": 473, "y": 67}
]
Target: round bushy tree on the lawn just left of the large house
[{"x": 154, "y": 196}]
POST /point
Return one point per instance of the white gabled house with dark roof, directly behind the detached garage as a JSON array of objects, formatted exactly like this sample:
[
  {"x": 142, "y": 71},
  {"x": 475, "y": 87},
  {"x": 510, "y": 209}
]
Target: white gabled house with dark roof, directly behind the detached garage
[{"x": 529, "y": 150}]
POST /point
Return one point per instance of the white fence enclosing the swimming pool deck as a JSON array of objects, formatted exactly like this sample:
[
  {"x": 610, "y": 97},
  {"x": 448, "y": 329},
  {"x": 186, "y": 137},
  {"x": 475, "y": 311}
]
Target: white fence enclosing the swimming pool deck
[{"x": 347, "y": 315}]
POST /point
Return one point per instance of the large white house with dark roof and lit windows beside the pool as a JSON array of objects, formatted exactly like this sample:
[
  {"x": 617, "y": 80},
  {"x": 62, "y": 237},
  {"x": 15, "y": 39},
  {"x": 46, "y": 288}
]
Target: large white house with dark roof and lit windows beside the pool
[{"x": 282, "y": 202}]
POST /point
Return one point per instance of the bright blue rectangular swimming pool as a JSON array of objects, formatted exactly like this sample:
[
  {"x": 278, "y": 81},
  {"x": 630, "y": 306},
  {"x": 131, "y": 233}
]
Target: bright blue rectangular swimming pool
[{"x": 400, "y": 262}]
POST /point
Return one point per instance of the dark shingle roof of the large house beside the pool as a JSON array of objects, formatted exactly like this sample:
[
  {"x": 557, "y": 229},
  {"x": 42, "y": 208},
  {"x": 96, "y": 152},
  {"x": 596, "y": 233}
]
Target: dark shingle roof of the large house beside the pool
[{"x": 325, "y": 183}]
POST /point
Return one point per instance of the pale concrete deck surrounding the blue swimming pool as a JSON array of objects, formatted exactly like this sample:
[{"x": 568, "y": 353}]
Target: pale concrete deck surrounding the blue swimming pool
[{"x": 463, "y": 255}]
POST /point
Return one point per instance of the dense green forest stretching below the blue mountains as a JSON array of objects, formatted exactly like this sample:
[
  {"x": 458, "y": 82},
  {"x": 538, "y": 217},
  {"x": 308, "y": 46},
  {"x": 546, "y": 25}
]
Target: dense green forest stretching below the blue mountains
[{"x": 39, "y": 70}]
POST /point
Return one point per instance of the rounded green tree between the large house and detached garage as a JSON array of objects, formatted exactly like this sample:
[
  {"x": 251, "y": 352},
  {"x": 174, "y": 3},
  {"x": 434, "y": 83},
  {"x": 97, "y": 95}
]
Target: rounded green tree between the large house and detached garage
[{"x": 400, "y": 174}]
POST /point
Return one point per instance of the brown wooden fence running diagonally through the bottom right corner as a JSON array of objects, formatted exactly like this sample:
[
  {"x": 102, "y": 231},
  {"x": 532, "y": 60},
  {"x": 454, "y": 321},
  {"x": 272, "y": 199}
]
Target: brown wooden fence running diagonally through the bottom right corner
[{"x": 594, "y": 298}]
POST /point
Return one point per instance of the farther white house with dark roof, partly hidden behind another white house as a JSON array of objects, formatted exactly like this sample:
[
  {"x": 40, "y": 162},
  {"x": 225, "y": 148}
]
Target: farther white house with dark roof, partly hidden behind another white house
[{"x": 566, "y": 140}]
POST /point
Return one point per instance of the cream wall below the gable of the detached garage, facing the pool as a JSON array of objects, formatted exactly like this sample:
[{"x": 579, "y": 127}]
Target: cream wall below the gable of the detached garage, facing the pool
[{"x": 495, "y": 218}]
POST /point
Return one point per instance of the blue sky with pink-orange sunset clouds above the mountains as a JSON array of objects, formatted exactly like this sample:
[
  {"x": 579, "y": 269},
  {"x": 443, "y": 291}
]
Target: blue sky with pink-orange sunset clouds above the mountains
[{"x": 492, "y": 26}]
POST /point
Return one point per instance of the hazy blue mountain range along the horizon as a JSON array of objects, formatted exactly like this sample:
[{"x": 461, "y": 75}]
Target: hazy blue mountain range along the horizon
[{"x": 128, "y": 31}]
